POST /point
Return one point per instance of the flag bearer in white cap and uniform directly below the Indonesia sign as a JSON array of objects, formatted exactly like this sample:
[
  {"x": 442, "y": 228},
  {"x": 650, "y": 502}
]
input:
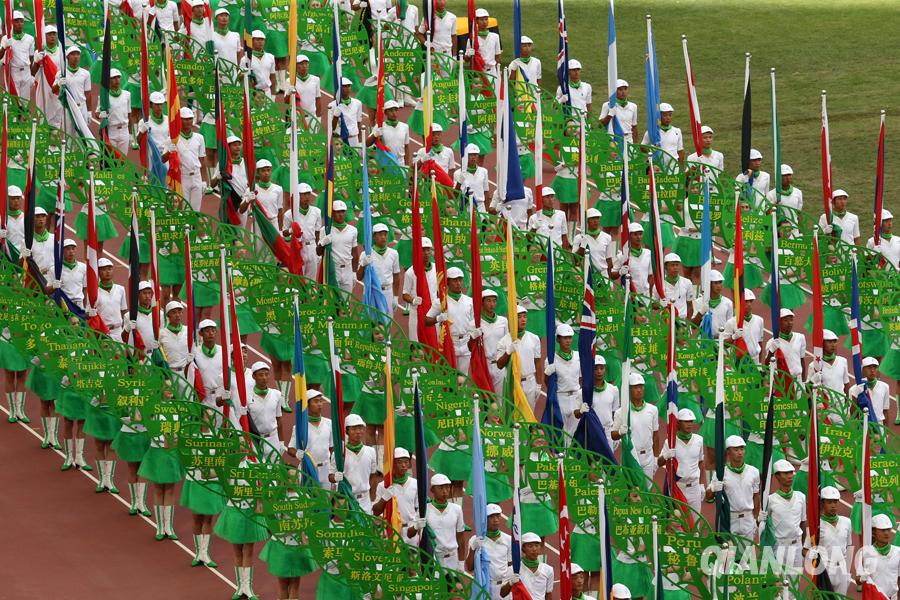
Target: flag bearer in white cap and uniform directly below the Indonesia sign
[{"x": 787, "y": 516}]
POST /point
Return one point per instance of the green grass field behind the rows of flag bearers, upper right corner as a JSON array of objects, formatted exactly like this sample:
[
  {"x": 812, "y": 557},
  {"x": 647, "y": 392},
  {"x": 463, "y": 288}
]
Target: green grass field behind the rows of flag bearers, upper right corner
[{"x": 850, "y": 48}]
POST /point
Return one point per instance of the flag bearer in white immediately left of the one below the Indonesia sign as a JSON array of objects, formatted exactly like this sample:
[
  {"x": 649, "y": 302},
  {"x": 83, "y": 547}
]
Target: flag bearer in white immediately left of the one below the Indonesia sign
[{"x": 741, "y": 485}]
